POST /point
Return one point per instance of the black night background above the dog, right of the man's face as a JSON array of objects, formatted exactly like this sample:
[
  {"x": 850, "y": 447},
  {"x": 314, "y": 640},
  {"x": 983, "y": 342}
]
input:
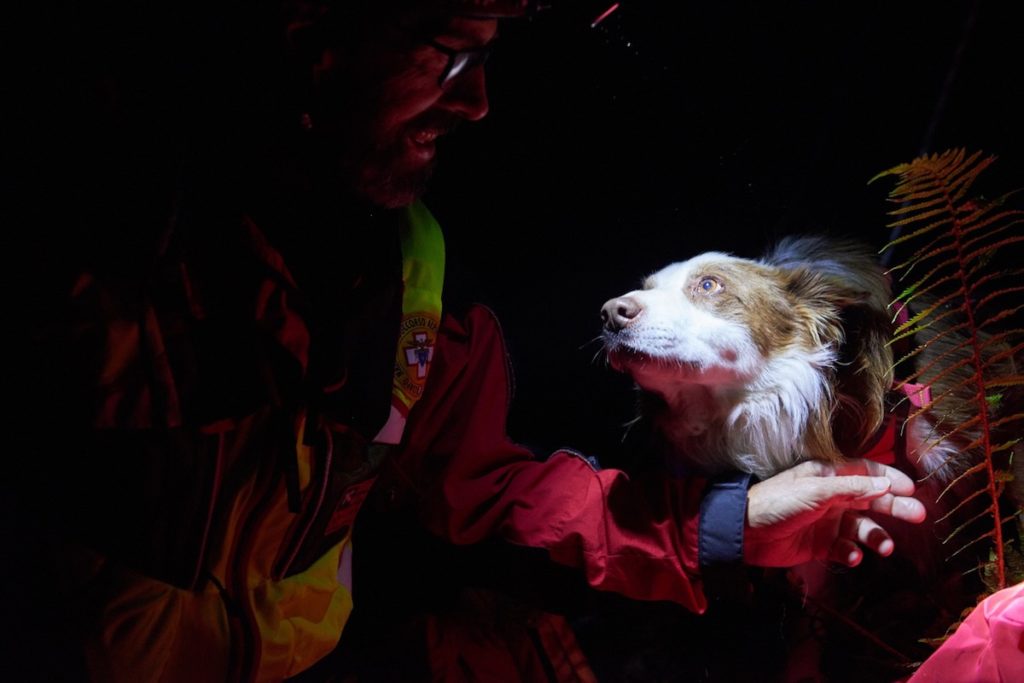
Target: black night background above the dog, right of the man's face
[{"x": 679, "y": 127}]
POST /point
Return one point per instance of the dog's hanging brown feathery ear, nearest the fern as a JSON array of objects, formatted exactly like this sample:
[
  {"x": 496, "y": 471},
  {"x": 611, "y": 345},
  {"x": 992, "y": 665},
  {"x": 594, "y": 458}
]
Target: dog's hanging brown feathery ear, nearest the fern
[{"x": 849, "y": 314}]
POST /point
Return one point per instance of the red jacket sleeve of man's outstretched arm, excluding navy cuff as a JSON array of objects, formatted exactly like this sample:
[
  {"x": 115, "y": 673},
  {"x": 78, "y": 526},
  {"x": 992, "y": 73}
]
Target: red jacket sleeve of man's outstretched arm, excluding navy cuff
[{"x": 633, "y": 538}]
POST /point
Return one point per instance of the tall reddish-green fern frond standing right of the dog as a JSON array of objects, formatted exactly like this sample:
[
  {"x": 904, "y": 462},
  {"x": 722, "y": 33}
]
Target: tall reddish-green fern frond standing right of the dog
[{"x": 963, "y": 322}]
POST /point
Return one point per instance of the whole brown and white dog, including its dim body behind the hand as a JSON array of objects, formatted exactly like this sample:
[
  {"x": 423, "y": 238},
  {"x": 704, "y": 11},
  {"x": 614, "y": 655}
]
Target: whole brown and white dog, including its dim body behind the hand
[{"x": 758, "y": 365}]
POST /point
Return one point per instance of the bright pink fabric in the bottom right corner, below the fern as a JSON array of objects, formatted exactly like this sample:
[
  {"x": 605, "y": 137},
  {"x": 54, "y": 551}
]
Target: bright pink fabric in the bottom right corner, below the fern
[{"x": 989, "y": 647}]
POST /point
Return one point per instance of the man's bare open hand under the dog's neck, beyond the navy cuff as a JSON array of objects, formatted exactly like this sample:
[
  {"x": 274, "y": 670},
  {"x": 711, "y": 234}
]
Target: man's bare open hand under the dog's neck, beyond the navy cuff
[{"x": 817, "y": 511}]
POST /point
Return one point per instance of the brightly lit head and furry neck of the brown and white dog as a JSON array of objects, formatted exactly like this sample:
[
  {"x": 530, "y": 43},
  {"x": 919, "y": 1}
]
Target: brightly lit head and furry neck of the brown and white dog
[{"x": 758, "y": 365}]
